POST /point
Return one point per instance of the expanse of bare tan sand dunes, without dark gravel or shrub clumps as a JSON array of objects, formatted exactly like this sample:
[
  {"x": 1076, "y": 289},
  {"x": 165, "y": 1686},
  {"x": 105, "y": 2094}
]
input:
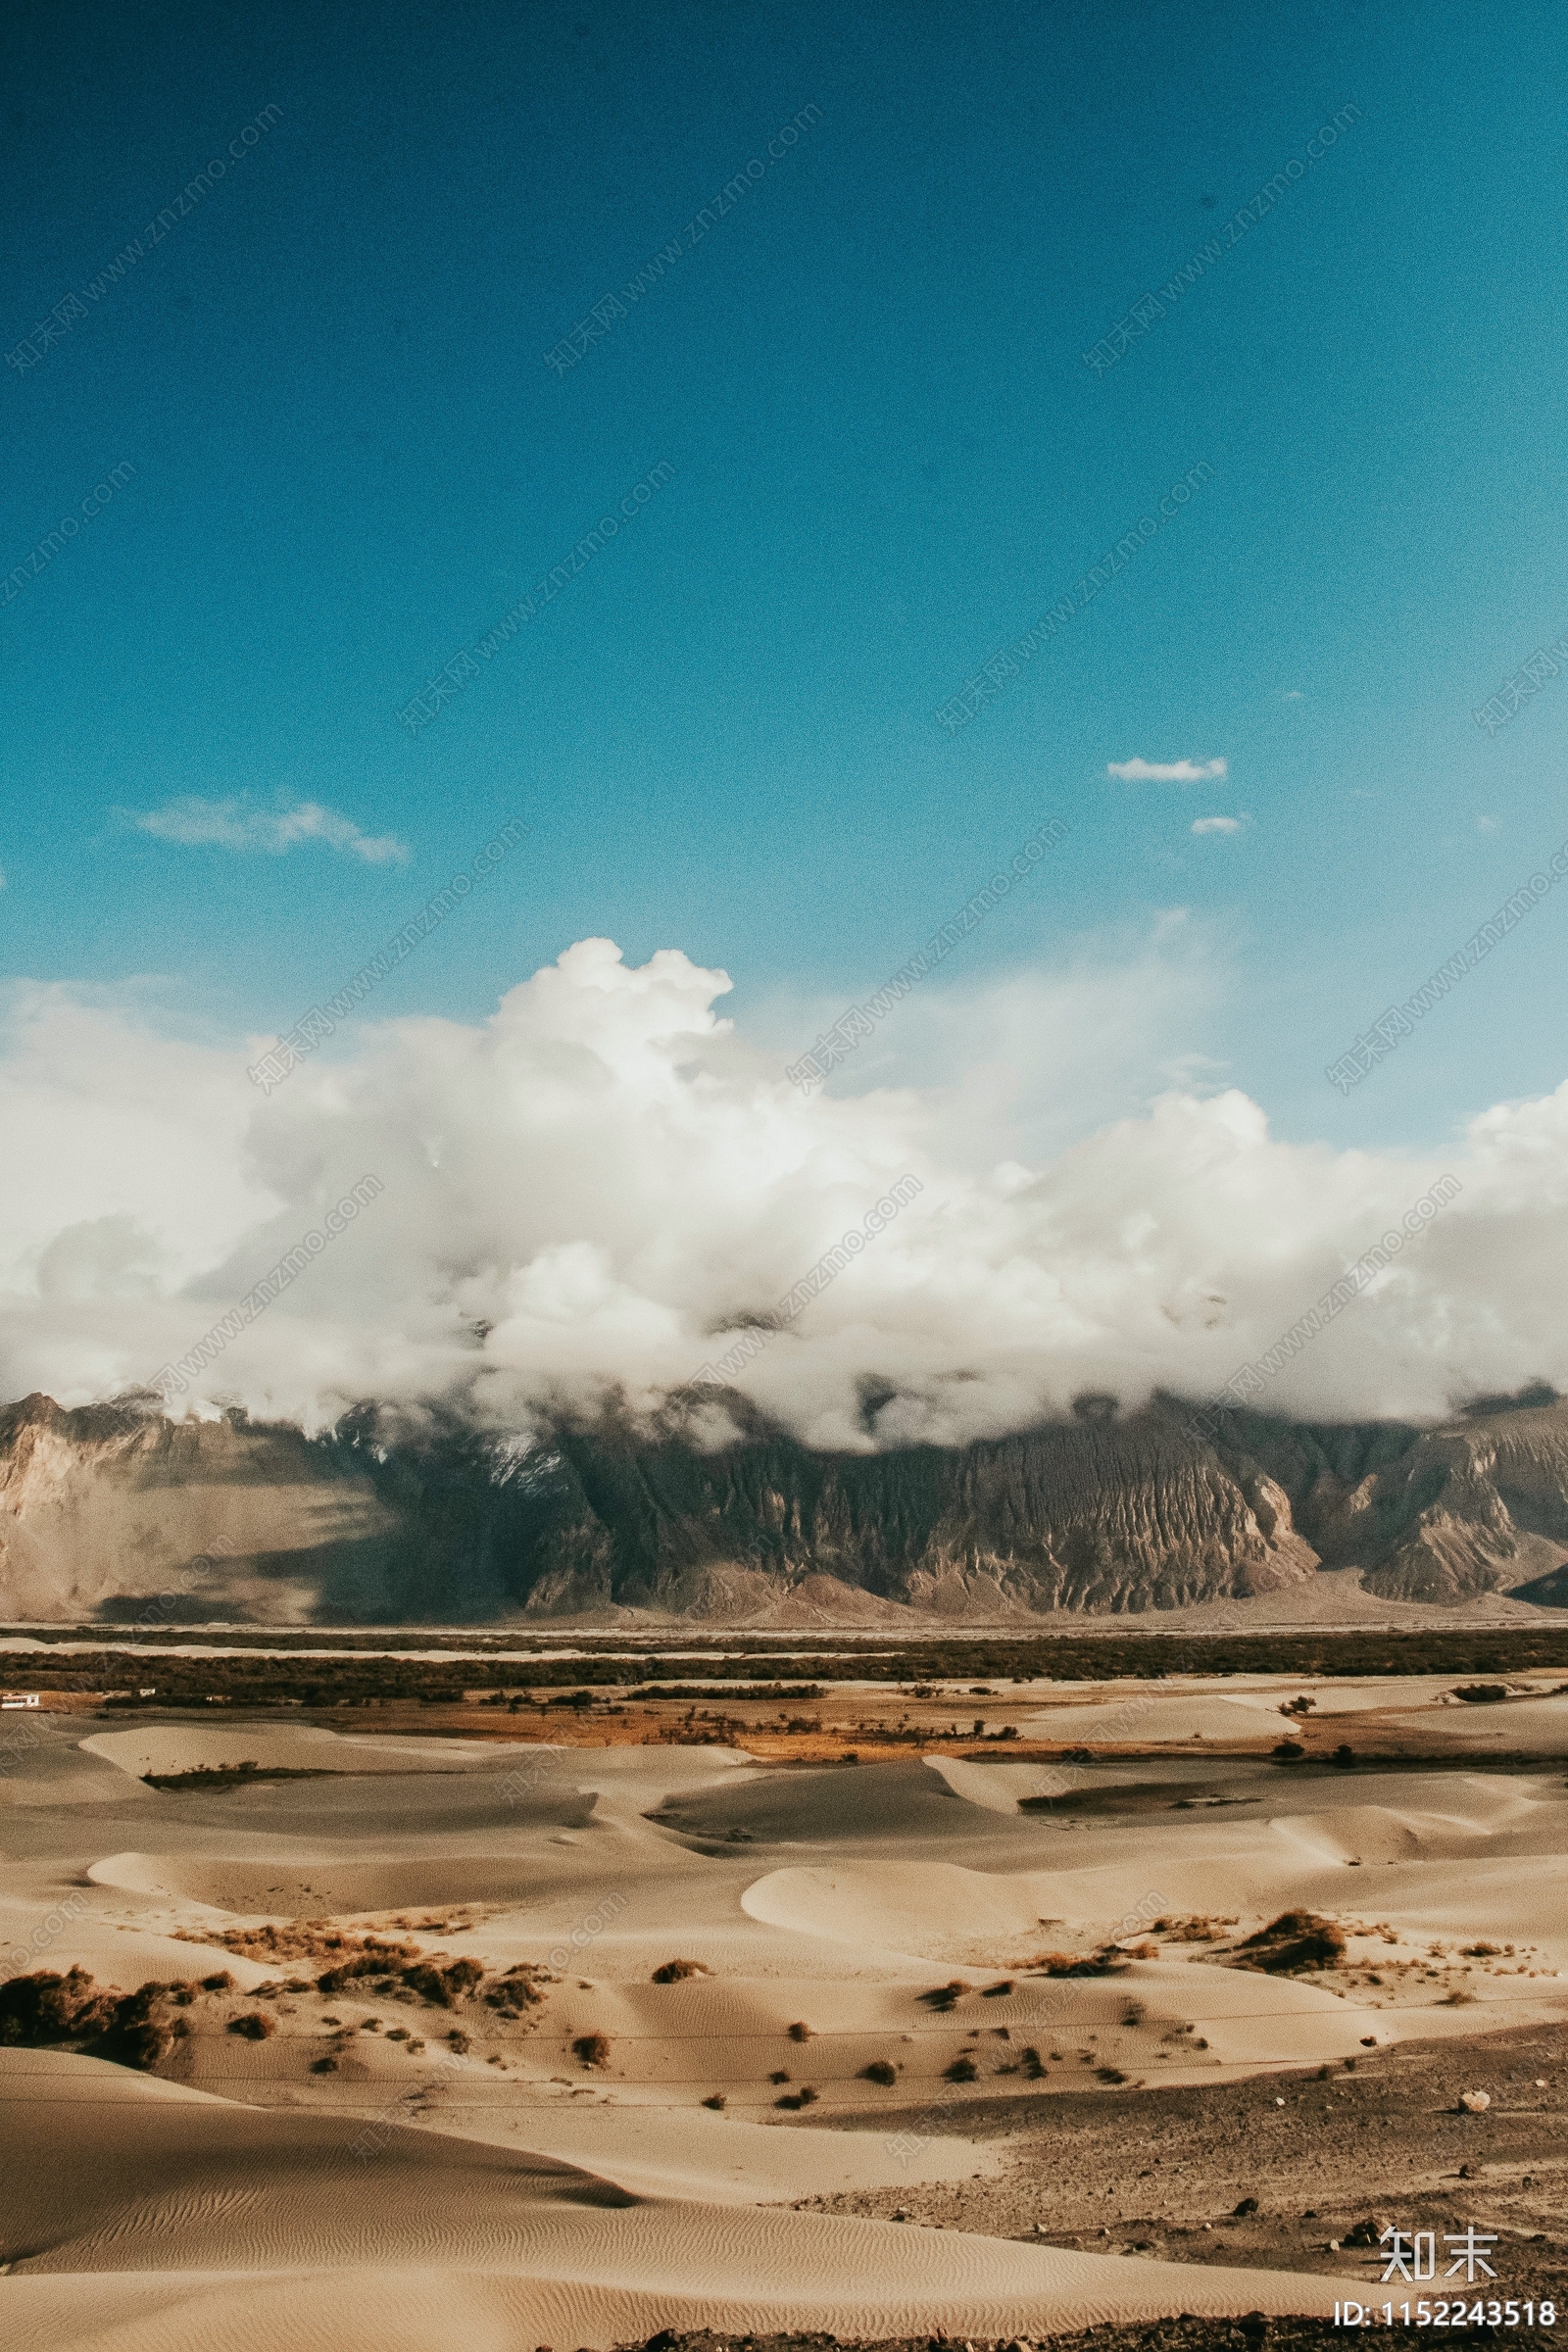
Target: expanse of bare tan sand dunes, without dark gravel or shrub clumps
[{"x": 551, "y": 2198}]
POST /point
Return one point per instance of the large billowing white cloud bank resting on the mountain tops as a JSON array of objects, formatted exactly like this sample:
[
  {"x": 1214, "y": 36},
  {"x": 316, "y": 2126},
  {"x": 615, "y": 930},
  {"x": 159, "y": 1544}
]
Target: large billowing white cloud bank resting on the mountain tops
[{"x": 603, "y": 1184}]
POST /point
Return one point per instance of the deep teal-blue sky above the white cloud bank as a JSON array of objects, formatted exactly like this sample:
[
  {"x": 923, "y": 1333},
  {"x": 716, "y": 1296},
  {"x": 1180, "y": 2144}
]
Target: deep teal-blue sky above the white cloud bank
[{"x": 890, "y": 460}]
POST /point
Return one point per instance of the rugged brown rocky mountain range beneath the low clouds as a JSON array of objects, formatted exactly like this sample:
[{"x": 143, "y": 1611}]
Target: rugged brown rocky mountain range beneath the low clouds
[{"x": 116, "y": 1514}]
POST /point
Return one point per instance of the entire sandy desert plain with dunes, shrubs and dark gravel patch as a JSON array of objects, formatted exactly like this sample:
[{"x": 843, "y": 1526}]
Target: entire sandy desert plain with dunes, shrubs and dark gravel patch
[{"x": 469, "y": 2029}]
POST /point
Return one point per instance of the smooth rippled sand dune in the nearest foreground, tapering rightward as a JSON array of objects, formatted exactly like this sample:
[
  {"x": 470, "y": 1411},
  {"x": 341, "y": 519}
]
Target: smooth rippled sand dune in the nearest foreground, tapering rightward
[{"x": 229, "y": 2217}]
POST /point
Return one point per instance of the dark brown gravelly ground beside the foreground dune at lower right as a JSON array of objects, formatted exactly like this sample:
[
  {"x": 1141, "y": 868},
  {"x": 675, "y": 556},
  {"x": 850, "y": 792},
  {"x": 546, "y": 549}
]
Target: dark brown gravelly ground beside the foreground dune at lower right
[{"x": 1162, "y": 2172}]
